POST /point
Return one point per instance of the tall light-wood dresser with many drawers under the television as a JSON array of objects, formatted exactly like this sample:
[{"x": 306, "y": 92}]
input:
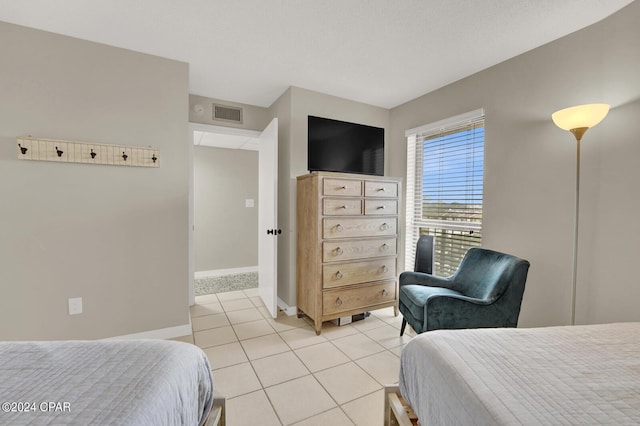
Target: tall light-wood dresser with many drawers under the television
[{"x": 346, "y": 244}]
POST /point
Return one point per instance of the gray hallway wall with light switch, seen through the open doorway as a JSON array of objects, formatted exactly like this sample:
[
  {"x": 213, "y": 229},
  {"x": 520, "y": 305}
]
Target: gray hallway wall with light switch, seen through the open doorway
[{"x": 226, "y": 232}]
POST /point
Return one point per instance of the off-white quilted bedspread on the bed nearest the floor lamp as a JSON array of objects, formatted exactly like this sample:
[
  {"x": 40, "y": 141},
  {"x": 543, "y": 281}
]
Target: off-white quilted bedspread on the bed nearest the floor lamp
[{"x": 551, "y": 375}]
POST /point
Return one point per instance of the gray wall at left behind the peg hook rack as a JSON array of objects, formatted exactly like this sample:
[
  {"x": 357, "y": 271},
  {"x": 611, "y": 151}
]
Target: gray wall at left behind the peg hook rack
[{"x": 115, "y": 236}]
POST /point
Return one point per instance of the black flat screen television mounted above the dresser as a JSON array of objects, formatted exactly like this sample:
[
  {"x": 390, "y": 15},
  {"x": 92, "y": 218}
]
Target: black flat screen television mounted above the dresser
[{"x": 339, "y": 146}]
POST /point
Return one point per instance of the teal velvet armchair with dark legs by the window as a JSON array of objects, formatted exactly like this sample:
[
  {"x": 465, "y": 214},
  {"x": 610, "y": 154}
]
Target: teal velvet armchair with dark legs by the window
[{"x": 485, "y": 291}]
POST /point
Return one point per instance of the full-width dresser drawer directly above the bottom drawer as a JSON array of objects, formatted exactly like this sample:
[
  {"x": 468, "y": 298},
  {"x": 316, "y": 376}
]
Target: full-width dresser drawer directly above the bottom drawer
[{"x": 340, "y": 274}]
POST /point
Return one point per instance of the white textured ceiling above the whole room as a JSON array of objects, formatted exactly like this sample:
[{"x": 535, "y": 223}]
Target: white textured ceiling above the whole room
[{"x": 381, "y": 52}]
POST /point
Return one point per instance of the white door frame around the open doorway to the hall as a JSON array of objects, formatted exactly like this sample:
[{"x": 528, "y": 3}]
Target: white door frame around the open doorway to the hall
[{"x": 191, "y": 249}]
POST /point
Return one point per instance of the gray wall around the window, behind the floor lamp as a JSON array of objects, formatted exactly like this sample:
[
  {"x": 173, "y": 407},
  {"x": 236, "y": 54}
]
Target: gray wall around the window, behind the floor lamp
[{"x": 530, "y": 167}]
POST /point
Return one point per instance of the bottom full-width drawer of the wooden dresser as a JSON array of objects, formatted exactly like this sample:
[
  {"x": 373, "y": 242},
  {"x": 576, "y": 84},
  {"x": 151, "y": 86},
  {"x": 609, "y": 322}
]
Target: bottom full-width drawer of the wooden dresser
[{"x": 342, "y": 300}]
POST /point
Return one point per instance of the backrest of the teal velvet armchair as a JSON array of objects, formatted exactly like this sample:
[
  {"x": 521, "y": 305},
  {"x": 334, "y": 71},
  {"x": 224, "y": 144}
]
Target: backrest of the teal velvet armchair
[{"x": 487, "y": 274}]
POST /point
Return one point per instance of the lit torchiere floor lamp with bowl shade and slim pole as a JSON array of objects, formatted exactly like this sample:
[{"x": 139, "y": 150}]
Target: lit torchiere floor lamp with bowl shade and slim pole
[{"x": 578, "y": 120}]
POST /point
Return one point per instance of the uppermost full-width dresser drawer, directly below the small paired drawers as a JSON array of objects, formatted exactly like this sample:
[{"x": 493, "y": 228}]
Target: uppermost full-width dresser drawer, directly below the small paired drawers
[{"x": 358, "y": 227}]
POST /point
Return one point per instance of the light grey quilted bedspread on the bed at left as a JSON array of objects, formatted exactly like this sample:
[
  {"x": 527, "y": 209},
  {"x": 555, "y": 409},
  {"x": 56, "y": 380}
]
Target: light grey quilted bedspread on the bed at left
[{"x": 124, "y": 382}]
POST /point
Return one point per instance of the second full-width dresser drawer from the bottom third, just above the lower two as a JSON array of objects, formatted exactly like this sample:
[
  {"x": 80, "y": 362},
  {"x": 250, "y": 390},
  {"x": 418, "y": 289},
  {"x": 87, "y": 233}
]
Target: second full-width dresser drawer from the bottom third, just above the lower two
[{"x": 336, "y": 251}]
